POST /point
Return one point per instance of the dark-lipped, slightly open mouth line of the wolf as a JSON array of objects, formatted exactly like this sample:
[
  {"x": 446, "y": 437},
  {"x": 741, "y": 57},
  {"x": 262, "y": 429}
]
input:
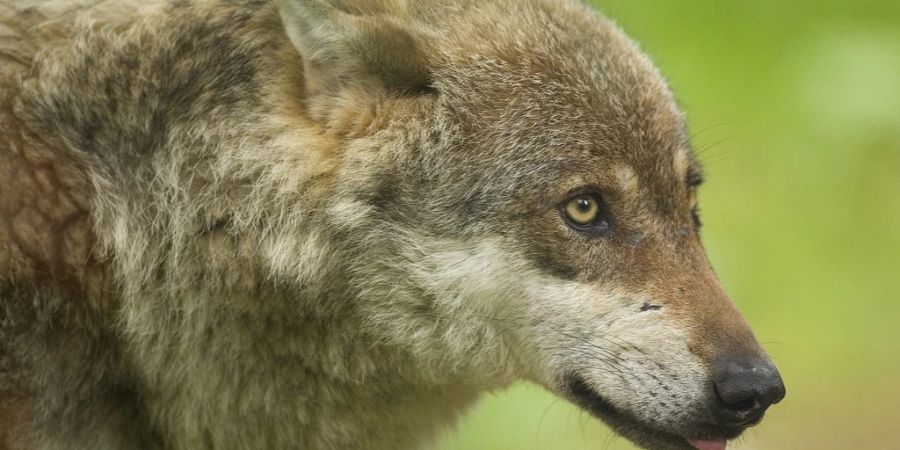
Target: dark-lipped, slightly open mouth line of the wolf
[{"x": 637, "y": 430}]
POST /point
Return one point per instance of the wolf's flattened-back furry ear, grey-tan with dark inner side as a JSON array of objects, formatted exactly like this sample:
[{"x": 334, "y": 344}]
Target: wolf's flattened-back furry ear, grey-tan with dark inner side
[{"x": 342, "y": 50}]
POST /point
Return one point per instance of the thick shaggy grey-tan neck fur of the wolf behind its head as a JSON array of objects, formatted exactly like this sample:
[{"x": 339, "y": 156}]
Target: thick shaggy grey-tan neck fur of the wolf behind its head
[{"x": 238, "y": 322}]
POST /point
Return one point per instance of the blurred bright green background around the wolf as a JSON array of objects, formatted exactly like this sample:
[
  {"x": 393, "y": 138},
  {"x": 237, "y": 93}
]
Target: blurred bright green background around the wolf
[{"x": 795, "y": 107}]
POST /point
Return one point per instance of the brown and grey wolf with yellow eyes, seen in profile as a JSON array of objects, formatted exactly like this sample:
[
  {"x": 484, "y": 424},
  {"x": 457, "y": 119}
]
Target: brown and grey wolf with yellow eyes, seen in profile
[{"x": 334, "y": 224}]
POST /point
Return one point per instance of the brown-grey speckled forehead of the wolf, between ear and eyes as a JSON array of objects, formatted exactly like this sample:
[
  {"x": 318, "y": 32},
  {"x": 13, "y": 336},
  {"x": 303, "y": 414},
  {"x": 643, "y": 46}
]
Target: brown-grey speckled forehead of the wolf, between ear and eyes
[{"x": 552, "y": 86}]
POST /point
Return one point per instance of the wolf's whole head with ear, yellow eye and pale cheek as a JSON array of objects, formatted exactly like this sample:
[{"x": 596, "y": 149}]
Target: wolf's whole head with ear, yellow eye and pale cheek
[{"x": 519, "y": 200}]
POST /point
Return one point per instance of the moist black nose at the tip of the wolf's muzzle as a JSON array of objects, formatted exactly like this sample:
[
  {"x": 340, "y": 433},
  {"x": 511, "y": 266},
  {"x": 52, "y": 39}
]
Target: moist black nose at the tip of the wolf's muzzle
[{"x": 745, "y": 388}]
